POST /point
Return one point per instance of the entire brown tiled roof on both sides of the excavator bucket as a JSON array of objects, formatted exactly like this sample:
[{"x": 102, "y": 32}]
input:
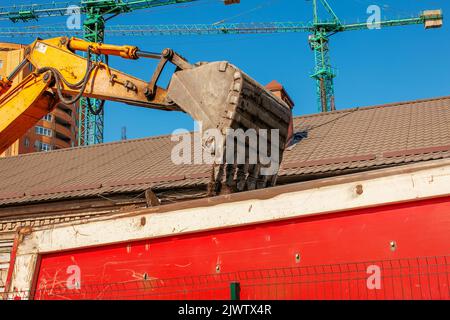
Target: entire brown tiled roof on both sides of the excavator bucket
[{"x": 327, "y": 144}]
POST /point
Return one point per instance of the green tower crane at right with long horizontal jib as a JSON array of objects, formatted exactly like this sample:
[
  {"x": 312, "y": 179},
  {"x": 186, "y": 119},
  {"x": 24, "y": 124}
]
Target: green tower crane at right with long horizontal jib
[{"x": 320, "y": 29}]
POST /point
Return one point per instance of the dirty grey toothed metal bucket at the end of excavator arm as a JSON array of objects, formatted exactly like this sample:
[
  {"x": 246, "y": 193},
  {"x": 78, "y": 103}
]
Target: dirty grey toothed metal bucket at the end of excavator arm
[{"x": 247, "y": 125}]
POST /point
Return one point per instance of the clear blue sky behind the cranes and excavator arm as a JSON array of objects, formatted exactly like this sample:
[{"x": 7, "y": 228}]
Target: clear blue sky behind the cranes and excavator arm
[{"x": 374, "y": 67}]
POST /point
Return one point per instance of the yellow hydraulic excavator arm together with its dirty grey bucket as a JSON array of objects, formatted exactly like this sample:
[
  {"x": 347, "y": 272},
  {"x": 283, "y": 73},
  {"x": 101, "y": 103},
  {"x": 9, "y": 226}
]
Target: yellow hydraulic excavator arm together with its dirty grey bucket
[{"x": 217, "y": 94}]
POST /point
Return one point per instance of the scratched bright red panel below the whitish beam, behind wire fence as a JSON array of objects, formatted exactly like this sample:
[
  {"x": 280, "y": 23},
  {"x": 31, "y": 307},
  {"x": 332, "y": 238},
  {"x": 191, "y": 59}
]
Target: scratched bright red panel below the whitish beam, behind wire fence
[{"x": 322, "y": 257}]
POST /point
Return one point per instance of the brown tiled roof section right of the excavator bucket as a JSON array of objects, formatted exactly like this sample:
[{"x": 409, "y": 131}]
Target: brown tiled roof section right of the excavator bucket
[{"x": 364, "y": 138}]
